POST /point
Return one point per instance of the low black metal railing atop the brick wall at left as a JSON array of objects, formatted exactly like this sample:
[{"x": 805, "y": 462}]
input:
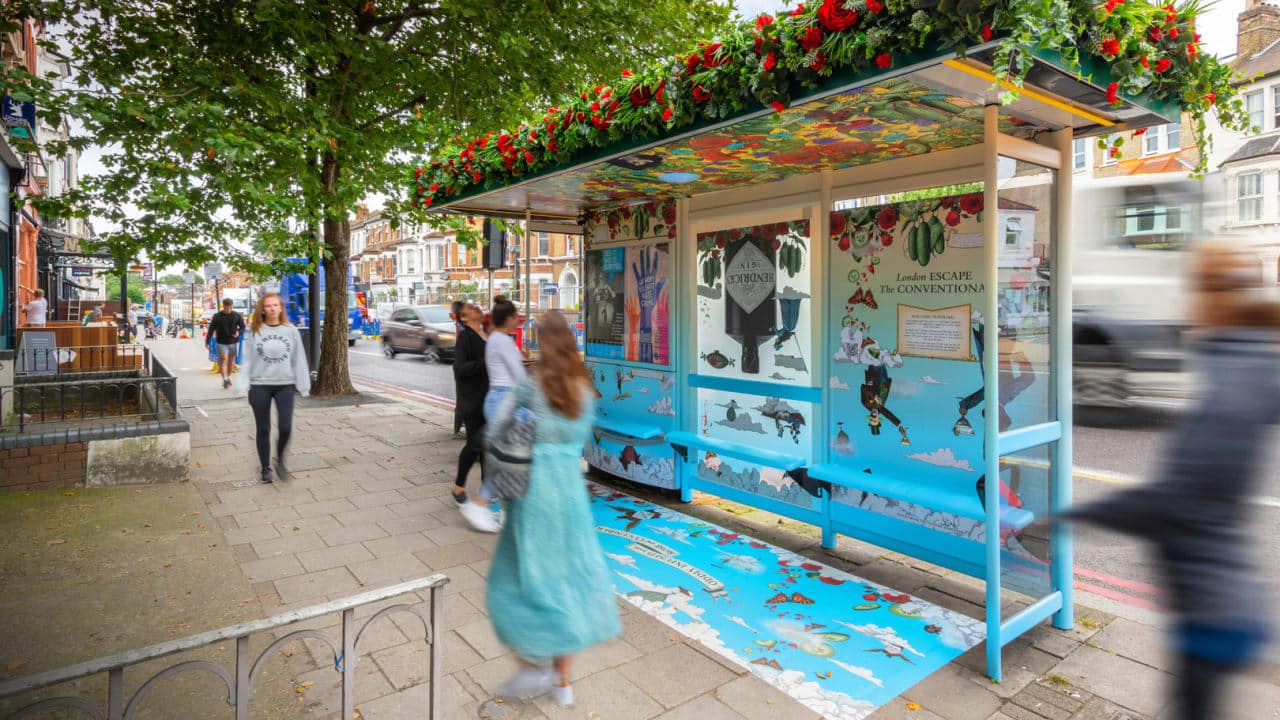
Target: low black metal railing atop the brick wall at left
[{"x": 39, "y": 405}]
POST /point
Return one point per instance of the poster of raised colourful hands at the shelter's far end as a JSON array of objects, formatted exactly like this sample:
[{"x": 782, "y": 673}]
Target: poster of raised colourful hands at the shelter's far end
[{"x": 647, "y": 304}]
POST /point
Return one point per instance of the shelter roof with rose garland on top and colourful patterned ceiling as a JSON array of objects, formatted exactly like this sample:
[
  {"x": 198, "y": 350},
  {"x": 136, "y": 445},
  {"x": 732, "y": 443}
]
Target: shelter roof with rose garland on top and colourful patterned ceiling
[{"x": 1136, "y": 51}]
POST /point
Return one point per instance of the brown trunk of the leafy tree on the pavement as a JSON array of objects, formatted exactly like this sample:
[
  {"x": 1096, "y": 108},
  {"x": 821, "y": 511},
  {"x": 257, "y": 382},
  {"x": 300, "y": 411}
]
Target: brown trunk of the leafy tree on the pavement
[{"x": 333, "y": 376}]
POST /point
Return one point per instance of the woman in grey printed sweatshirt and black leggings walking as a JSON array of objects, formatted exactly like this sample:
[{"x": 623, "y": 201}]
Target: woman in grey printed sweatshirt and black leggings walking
[{"x": 275, "y": 371}]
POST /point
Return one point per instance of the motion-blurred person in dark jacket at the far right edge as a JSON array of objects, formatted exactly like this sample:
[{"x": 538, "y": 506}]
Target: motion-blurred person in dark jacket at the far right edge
[{"x": 1196, "y": 513}]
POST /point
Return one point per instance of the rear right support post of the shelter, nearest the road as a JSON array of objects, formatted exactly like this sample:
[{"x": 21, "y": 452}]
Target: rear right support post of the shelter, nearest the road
[{"x": 1063, "y": 563}]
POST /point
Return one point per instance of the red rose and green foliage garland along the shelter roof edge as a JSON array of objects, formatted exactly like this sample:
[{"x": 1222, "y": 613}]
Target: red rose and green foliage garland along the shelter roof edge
[{"x": 1149, "y": 49}]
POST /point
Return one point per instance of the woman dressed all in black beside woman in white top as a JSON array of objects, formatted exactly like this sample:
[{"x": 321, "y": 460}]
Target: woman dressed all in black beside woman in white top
[{"x": 472, "y": 381}]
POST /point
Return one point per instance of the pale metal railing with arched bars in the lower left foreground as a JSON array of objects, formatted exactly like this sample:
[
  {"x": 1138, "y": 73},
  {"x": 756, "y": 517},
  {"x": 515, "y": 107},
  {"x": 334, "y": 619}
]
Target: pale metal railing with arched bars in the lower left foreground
[{"x": 240, "y": 683}]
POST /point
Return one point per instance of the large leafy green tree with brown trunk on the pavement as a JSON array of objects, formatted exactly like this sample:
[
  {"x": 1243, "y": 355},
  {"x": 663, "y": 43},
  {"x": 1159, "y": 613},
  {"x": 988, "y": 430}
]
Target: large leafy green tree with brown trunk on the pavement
[{"x": 271, "y": 121}]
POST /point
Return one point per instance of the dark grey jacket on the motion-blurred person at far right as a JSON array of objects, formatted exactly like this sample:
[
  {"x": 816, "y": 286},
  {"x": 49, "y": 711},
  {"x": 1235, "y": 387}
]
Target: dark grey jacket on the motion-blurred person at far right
[{"x": 1197, "y": 509}]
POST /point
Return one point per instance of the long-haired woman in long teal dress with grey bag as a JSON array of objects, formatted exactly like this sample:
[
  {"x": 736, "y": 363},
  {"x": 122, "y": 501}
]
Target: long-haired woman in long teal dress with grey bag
[{"x": 550, "y": 591}]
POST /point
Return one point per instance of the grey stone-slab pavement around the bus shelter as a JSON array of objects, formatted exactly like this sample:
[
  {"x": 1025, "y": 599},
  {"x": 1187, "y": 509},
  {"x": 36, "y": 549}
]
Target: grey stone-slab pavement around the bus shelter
[{"x": 369, "y": 507}]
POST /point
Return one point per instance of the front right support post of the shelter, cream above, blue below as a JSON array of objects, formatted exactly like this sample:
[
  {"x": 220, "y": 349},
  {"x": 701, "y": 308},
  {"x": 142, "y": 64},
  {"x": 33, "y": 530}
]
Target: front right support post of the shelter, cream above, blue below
[{"x": 991, "y": 380}]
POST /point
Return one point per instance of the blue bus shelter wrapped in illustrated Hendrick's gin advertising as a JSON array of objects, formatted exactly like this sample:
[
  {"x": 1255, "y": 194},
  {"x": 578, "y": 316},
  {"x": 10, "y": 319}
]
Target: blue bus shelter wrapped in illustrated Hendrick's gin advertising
[{"x": 852, "y": 309}]
